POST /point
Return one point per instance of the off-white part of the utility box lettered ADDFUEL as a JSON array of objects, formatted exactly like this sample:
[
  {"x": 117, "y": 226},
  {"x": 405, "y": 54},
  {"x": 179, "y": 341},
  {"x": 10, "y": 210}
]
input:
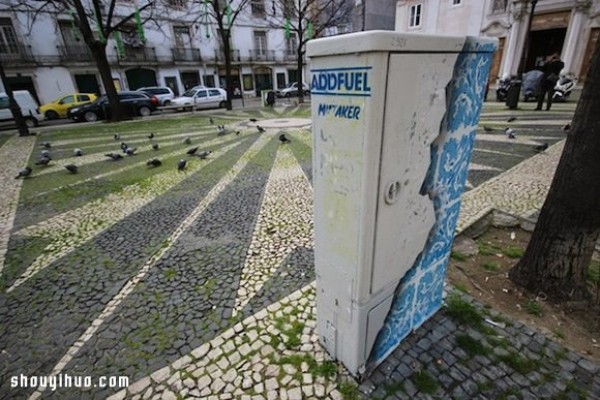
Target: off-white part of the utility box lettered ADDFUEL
[{"x": 380, "y": 103}]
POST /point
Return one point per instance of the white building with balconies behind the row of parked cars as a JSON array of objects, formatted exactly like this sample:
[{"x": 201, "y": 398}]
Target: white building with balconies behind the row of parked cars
[{"x": 49, "y": 58}]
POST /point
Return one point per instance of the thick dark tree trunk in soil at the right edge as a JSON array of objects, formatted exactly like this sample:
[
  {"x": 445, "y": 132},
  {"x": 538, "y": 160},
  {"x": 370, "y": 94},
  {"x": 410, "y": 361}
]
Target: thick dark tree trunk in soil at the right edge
[{"x": 562, "y": 244}]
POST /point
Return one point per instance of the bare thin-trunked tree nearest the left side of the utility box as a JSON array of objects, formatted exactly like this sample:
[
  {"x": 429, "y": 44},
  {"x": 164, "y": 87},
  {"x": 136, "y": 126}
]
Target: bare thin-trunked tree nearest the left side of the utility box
[{"x": 306, "y": 19}]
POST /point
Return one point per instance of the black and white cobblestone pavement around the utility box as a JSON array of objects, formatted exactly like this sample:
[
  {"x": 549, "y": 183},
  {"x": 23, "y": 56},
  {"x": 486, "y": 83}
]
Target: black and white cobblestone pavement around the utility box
[{"x": 199, "y": 284}]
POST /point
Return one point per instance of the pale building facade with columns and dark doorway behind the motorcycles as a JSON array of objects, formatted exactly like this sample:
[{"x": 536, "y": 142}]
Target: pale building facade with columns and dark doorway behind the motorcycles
[{"x": 568, "y": 27}]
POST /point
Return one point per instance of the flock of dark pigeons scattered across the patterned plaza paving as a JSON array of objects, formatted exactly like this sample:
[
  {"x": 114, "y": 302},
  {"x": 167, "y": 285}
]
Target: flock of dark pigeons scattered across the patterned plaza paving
[{"x": 46, "y": 158}]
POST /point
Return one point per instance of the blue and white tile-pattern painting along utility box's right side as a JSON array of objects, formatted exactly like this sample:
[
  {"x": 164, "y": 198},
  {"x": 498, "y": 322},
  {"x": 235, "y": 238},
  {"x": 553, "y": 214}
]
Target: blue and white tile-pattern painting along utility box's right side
[{"x": 419, "y": 294}]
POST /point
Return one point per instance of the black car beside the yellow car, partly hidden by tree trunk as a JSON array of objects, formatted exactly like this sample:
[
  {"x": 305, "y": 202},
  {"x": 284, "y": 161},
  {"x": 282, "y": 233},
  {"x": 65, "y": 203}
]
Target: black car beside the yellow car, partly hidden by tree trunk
[{"x": 134, "y": 104}]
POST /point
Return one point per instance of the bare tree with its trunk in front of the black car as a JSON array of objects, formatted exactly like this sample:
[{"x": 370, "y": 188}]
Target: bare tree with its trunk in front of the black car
[{"x": 96, "y": 20}]
